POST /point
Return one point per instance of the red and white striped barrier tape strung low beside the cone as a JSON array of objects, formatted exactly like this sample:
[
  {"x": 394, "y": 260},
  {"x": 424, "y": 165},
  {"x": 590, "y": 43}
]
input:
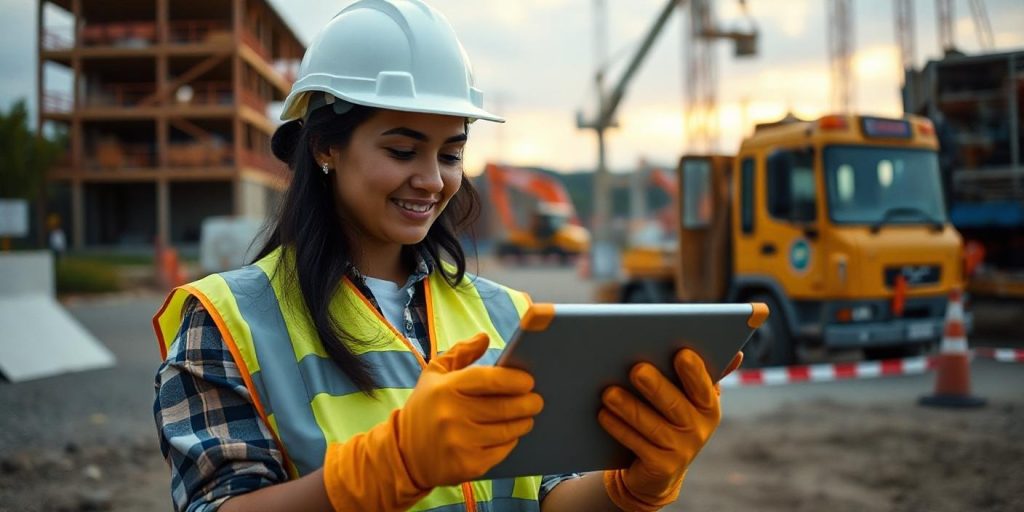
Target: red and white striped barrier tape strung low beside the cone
[{"x": 858, "y": 370}]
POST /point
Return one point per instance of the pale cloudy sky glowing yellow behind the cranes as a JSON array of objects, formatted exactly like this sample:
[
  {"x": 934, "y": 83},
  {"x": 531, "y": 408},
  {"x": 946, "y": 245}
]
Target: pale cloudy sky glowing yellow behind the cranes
[{"x": 535, "y": 62}]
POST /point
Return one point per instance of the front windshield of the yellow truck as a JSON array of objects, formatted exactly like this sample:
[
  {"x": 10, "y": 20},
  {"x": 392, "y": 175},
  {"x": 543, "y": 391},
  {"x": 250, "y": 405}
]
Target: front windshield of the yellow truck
[{"x": 883, "y": 186}]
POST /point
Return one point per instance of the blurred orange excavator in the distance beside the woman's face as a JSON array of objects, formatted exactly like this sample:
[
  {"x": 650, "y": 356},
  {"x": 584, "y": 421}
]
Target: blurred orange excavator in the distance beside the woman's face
[{"x": 533, "y": 215}]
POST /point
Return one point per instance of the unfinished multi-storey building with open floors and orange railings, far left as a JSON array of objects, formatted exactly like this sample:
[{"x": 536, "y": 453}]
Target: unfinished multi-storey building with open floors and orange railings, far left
[{"x": 164, "y": 104}]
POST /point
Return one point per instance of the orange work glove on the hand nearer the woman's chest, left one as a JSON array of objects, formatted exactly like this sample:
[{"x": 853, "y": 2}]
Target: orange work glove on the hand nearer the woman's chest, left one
[{"x": 459, "y": 422}]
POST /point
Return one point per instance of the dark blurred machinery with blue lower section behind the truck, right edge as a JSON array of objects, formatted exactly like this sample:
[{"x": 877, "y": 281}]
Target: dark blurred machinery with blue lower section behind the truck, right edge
[{"x": 976, "y": 104}]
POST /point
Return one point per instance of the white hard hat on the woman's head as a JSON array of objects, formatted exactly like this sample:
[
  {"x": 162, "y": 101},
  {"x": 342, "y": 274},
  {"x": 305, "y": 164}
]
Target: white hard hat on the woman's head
[{"x": 396, "y": 55}]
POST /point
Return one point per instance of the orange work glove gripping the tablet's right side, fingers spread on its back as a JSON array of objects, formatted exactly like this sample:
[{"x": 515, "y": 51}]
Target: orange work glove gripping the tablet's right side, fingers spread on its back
[{"x": 665, "y": 439}]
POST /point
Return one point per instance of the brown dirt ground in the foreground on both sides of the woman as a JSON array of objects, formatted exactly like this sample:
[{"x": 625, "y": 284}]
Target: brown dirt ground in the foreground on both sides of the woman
[{"x": 807, "y": 457}]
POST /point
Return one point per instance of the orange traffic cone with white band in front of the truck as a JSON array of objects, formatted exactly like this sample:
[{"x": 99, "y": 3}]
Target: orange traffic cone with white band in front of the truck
[{"x": 953, "y": 378}]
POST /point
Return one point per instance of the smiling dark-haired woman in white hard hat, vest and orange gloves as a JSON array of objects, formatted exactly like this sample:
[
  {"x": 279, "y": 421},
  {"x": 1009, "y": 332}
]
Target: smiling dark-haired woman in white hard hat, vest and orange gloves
[{"x": 329, "y": 375}]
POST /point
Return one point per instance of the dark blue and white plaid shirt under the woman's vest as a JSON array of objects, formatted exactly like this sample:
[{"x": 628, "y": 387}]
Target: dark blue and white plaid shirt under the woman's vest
[{"x": 210, "y": 434}]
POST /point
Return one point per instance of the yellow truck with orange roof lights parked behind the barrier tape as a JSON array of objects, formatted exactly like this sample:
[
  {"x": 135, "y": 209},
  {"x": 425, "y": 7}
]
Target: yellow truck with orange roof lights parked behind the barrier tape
[{"x": 838, "y": 225}]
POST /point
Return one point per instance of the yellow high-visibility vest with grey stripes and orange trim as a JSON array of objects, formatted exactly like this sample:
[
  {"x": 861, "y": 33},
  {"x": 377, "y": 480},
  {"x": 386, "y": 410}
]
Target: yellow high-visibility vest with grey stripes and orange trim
[{"x": 308, "y": 402}]
